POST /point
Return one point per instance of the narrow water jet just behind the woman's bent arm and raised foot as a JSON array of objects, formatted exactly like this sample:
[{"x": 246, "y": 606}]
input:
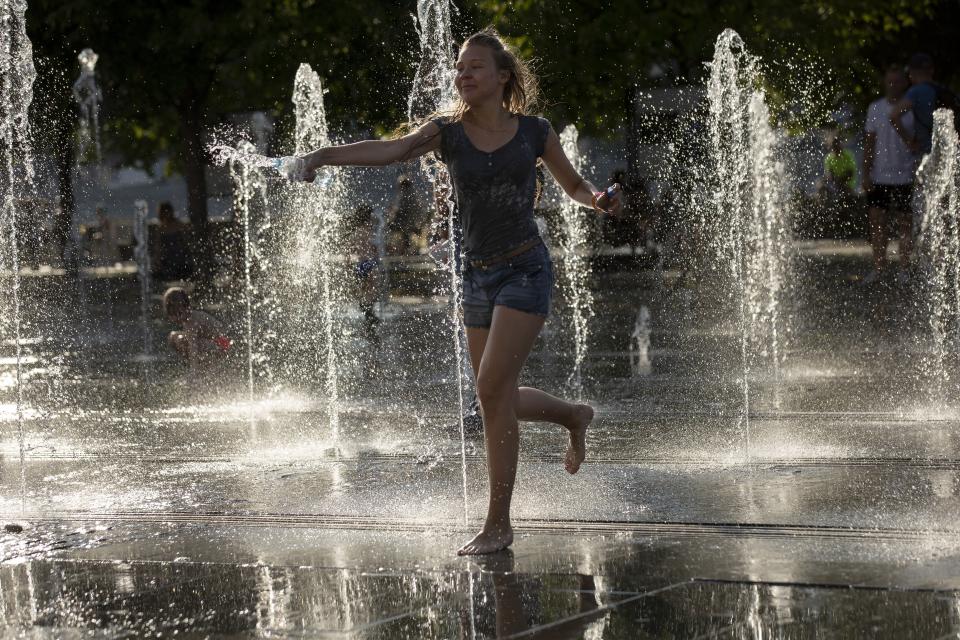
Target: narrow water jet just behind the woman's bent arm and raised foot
[{"x": 575, "y": 280}]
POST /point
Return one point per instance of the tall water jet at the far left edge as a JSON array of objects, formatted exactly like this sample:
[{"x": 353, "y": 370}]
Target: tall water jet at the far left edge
[{"x": 17, "y": 75}]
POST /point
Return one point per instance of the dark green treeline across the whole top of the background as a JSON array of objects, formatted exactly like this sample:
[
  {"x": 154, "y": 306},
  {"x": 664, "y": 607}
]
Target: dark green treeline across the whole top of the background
[{"x": 172, "y": 71}]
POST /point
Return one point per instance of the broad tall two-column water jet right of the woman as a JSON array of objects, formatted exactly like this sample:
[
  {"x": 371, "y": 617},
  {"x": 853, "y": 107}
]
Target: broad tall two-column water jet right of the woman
[{"x": 747, "y": 220}]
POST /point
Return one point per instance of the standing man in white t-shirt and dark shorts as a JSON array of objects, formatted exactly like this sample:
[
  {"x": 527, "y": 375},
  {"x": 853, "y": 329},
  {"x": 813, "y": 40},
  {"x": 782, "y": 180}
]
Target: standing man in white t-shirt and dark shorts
[{"x": 888, "y": 169}]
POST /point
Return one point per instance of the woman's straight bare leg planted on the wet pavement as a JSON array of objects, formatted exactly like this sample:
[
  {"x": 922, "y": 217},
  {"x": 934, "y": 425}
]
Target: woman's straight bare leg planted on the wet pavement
[{"x": 507, "y": 345}]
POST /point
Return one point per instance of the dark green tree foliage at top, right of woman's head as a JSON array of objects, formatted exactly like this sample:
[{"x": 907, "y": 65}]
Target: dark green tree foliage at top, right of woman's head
[{"x": 818, "y": 54}]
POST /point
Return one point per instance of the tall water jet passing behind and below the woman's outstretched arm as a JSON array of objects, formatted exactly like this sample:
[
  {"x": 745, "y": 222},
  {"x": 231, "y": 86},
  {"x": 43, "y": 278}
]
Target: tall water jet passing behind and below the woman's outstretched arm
[{"x": 433, "y": 91}]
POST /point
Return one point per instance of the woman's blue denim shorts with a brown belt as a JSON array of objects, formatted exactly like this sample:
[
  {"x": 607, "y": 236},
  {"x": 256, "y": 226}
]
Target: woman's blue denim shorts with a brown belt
[{"x": 523, "y": 283}]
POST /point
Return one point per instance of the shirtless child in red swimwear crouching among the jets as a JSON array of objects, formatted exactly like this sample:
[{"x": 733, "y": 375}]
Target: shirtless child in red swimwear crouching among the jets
[{"x": 202, "y": 341}]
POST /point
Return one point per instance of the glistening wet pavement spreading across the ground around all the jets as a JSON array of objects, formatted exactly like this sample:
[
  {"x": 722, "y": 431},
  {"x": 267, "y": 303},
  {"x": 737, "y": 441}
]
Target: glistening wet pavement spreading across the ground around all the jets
[{"x": 819, "y": 502}]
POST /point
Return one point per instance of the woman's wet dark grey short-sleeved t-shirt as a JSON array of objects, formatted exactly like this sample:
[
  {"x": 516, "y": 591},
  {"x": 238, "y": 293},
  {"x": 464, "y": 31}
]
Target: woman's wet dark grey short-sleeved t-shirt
[{"x": 494, "y": 192}]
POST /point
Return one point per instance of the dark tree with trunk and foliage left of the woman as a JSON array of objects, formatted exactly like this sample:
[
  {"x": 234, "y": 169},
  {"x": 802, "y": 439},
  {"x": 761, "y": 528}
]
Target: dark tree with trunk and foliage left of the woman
[{"x": 170, "y": 71}]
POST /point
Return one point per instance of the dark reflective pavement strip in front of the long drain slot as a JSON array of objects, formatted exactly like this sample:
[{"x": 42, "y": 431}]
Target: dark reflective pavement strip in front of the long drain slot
[{"x": 251, "y": 581}]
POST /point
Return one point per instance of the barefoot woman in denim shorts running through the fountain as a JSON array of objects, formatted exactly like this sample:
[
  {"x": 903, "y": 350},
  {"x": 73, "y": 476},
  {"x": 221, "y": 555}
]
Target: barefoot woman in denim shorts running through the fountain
[{"x": 491, "y": 146}]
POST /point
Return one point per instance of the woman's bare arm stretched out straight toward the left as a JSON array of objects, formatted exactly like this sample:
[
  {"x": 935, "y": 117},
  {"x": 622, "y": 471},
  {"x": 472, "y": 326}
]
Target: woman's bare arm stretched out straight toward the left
[{"x": 375, "y": 153}]
